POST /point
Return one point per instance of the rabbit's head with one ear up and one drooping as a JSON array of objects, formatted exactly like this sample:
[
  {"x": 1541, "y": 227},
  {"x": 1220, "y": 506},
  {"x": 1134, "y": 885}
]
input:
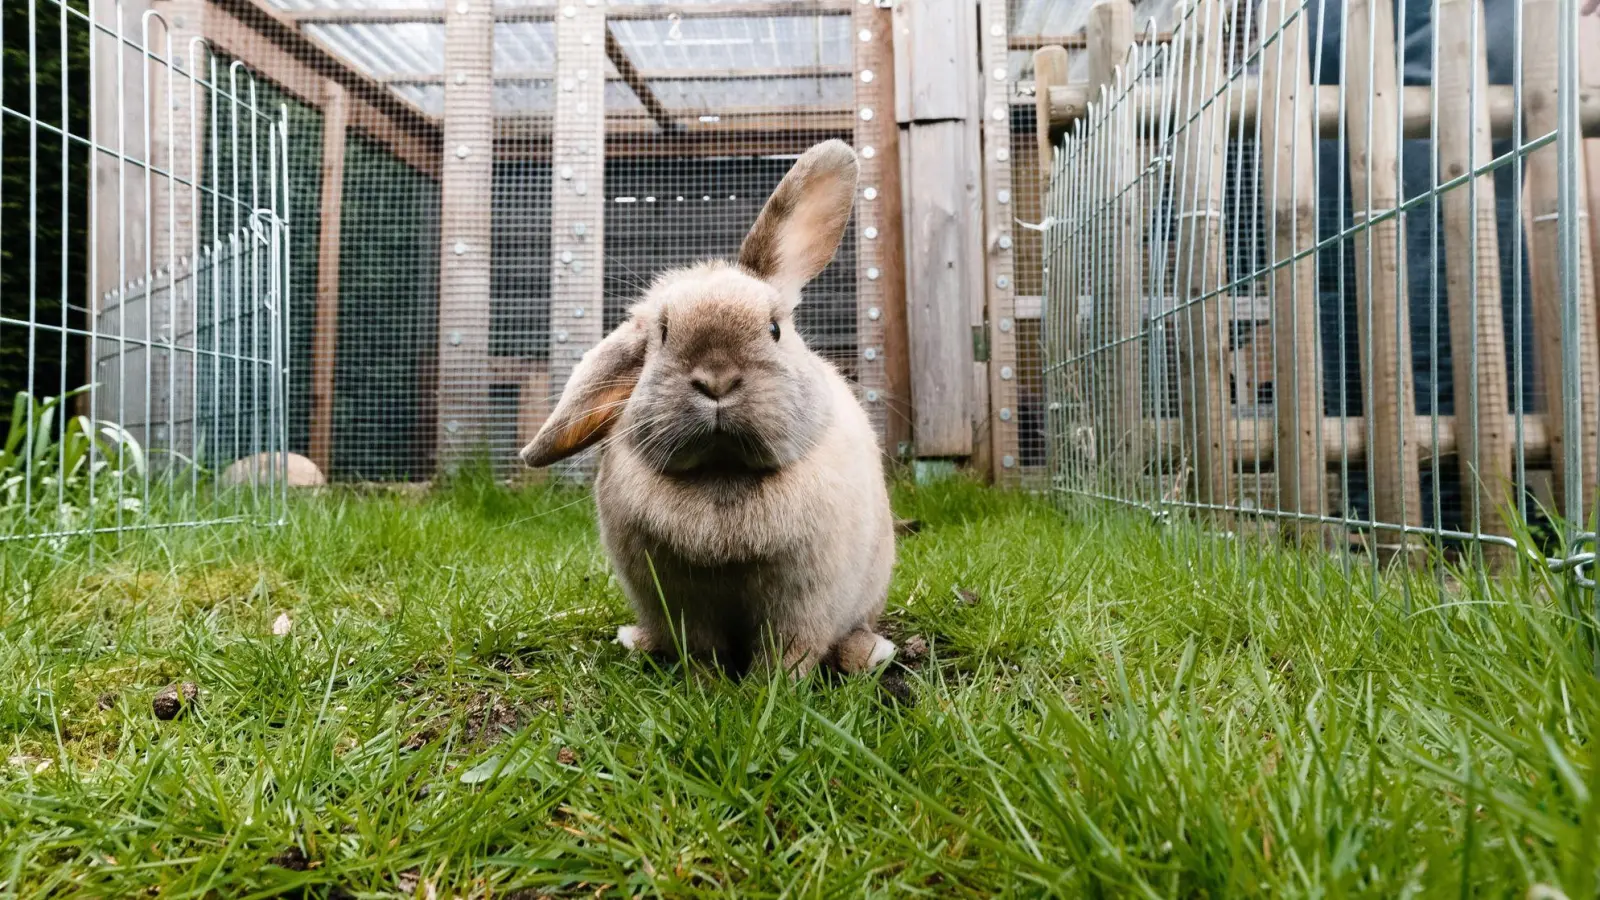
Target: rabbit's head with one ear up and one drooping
[{"x": 708, "y": 372}]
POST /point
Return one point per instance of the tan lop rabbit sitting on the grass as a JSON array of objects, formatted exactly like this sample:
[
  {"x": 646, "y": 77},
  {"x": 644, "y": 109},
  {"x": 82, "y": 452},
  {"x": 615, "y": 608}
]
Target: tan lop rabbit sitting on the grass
[{"x": 740, "y": 488}]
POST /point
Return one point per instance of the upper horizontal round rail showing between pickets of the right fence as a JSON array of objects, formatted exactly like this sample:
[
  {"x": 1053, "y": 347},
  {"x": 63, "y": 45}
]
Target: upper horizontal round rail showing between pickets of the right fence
[{"x": 1070, "y": 103}]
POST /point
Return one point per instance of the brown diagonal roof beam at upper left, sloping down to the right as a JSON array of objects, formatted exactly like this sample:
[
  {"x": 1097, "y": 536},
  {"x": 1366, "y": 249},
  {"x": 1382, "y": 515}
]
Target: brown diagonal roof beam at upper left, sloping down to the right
[{"x": 287, "y": 58}]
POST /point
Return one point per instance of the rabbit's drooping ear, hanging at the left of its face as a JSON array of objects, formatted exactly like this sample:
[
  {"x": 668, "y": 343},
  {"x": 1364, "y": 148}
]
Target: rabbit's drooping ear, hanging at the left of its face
[{"x": 594, "y": 396}]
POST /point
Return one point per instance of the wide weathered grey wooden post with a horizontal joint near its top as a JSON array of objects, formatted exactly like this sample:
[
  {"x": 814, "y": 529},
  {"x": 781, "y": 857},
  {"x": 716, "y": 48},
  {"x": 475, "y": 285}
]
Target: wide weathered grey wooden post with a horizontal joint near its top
[{"x": 935, "y": 102}]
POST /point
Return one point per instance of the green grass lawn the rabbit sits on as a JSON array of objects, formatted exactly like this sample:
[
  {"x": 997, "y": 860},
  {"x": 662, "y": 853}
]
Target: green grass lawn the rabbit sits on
[{"x": 1108, "y": 709}]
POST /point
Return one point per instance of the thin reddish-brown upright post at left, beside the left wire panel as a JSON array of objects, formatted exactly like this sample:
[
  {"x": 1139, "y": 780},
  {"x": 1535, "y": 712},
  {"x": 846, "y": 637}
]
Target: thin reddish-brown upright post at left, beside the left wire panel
[{"x": 326, "y": 326}]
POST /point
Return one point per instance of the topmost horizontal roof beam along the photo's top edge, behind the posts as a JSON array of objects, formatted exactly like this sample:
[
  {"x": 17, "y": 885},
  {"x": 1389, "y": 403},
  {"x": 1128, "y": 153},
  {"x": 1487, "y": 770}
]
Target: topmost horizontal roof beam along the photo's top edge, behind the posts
[{"x": 431, "y": 14}]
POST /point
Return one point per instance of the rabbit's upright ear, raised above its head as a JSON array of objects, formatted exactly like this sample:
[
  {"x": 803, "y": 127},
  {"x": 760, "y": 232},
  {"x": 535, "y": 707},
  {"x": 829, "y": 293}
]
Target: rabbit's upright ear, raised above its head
[{"x": 799, "y": 228}]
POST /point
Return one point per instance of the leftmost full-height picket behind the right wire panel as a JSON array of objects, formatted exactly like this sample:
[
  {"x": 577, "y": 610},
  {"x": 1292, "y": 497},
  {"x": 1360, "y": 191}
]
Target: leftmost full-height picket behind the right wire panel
[{"x": 1202, "y": 148}]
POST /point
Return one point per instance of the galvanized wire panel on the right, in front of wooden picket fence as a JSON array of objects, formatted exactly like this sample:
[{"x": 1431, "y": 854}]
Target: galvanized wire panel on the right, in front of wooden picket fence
[{"x": 1310, "y": 279}]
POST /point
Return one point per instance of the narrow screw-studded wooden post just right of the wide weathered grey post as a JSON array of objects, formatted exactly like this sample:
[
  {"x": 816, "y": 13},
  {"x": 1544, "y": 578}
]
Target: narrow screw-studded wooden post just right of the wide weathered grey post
[{"x": 1001, "y": 278}]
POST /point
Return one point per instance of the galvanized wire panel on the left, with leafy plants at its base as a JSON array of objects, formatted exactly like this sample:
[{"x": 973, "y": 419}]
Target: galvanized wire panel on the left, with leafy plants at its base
[{"x": 145, "y": 222}]
